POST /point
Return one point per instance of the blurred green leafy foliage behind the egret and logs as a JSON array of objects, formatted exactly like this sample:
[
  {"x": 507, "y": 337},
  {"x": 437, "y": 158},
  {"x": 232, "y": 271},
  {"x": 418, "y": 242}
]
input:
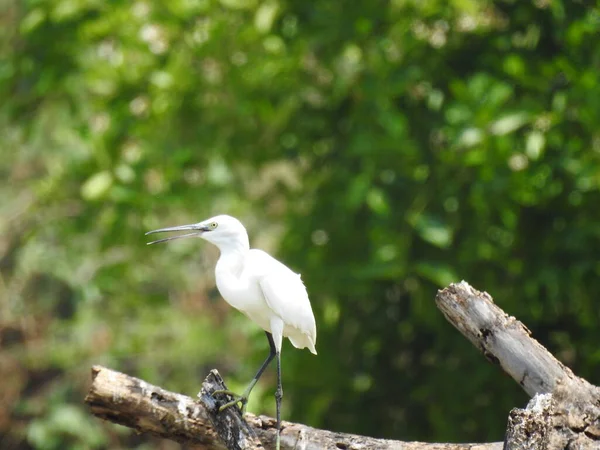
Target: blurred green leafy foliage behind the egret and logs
[{"x": 381, "y": 148}]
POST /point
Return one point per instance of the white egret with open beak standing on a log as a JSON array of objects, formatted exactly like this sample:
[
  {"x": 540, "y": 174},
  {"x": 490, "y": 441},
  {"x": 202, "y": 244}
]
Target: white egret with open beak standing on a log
[{"x": 262, "y": 288}]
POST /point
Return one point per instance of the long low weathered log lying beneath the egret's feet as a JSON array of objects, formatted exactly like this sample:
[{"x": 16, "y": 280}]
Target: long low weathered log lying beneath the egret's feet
[{"x": 128, "y": 401}]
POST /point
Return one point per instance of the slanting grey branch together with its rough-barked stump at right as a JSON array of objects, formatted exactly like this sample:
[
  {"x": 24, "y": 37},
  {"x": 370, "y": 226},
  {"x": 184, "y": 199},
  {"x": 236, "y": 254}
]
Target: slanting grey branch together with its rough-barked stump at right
[{"x": 565, "y": 412}]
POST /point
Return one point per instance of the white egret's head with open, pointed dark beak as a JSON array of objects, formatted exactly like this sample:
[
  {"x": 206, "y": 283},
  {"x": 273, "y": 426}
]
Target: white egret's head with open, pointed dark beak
[{"x": 223, "y": 231}]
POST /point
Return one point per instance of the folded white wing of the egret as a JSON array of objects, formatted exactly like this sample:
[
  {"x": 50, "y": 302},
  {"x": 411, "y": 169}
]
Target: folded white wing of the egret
[{"x": 285, "y": 293}]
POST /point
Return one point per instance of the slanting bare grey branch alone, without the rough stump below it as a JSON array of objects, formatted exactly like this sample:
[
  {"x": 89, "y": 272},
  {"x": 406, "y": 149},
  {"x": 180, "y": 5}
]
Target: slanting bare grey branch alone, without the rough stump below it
[{"x": 502, "y": 338}]
